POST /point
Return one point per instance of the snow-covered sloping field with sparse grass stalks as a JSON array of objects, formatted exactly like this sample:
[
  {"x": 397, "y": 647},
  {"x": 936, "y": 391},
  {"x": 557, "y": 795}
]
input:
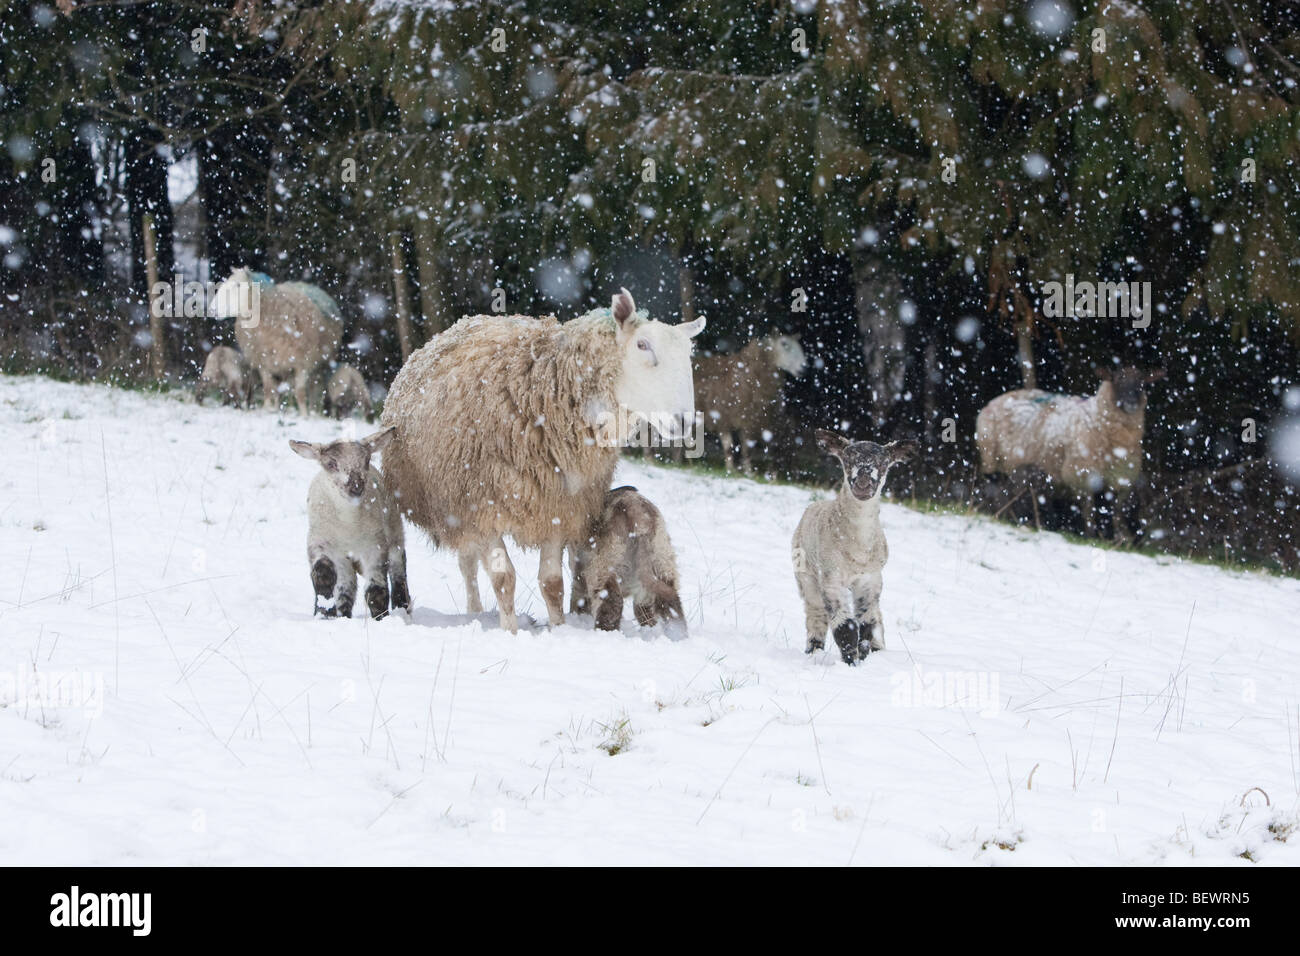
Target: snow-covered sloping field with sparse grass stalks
[{"x": 167, "y": 698}]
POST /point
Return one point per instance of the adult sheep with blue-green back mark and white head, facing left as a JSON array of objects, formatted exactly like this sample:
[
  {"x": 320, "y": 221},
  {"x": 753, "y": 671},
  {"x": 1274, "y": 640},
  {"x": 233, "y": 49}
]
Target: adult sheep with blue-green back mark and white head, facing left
[{"x": 284, "y": 330}]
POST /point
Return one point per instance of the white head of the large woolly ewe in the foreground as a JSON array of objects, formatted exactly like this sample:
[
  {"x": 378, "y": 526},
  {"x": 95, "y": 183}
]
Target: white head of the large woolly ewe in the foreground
[{"x": 655, "y": 383}]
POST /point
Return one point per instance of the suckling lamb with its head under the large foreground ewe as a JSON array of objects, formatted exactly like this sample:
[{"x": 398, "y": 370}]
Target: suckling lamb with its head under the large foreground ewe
[{"x": 629, "y": 555}]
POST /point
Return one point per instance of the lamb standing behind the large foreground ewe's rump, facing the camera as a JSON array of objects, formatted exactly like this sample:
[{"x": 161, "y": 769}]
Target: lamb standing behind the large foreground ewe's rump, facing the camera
[{"x": 354, "y": 527}]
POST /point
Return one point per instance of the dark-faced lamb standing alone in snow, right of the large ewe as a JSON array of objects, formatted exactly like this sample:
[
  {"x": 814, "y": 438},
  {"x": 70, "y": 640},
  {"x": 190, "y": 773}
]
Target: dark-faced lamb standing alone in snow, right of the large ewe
[{"x": 840, "y": 550}]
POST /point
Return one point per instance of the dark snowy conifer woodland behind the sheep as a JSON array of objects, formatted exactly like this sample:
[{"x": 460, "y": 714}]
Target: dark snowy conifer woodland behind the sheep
[{"x": 796, "y": 146}]
